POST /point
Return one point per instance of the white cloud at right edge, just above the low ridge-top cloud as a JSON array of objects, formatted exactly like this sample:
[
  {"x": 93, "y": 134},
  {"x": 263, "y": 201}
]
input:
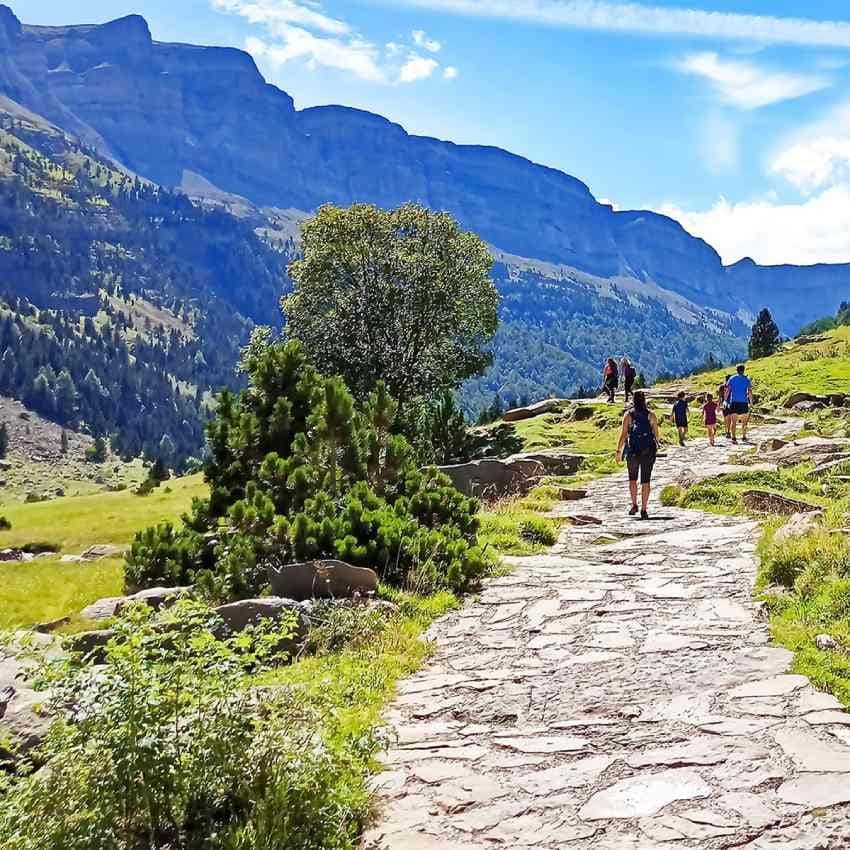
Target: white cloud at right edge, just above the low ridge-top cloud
[{"x": 818, "y": 155}]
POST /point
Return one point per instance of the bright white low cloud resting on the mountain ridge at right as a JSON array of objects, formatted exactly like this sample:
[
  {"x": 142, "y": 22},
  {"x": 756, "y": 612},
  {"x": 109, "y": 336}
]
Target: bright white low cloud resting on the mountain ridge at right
[{"x": 773, "y": 233}]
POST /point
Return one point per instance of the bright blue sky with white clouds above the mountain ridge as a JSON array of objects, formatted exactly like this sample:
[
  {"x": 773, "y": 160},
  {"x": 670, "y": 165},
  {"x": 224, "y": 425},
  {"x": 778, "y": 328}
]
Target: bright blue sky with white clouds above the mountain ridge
[{"x": 733, "y": 116}]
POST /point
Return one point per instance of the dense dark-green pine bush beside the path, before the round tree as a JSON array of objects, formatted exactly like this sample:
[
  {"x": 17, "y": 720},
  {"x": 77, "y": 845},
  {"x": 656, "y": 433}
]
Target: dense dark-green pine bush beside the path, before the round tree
[{"x": 299, "y": 471}]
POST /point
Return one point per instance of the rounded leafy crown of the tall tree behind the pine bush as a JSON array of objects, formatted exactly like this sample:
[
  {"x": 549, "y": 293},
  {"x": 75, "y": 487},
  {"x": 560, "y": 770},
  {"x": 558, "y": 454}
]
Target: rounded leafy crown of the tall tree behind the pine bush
[{"x": 401, "y": 296}]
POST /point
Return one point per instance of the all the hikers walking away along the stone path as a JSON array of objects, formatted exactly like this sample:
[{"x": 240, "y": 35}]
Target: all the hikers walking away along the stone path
[{"x": 639, "y": 438}]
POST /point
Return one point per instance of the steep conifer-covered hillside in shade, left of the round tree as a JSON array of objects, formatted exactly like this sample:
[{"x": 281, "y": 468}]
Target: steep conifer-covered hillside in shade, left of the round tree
[{"x": 123, "y": 304}]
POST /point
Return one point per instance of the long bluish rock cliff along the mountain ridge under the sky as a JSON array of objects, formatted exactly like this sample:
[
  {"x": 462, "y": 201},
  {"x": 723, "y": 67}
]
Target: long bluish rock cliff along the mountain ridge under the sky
[{"x": 164, "y": 109}]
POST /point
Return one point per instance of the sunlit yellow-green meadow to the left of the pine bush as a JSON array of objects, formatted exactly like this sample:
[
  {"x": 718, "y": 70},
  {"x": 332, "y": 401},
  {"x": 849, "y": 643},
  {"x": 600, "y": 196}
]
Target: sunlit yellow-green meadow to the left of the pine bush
[{"x": 46, "y": 589}]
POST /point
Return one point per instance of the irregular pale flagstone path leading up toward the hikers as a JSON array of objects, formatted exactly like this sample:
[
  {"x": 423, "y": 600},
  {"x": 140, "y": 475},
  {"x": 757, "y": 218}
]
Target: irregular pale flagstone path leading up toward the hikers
[{"x": 620, "y": 693}]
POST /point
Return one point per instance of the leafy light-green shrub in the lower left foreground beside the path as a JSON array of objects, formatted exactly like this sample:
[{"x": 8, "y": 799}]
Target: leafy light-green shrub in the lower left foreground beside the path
[{"x": 166, "y": 745}]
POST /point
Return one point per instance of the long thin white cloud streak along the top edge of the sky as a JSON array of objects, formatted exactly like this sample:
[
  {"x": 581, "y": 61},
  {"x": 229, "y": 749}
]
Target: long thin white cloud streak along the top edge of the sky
[{"x": 650, "y": 20}]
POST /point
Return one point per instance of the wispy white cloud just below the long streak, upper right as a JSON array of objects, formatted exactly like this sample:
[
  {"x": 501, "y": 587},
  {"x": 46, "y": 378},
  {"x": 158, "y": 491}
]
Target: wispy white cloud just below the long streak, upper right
[{"x": 745, "y": 85}]
